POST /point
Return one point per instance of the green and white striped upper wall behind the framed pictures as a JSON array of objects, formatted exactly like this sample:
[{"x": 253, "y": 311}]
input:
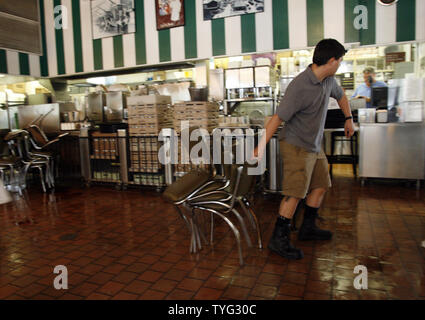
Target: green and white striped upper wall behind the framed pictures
[{"x": 284, "y": 24}]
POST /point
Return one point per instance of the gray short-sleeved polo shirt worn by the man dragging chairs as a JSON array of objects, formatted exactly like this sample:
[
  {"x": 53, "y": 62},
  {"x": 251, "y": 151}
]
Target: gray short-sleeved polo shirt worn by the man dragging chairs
[{"x": 304, "y": 107}]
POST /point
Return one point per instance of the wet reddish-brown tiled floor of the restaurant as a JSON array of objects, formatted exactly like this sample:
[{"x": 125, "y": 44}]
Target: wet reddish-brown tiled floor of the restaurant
[{"x": 131, "y": 245}]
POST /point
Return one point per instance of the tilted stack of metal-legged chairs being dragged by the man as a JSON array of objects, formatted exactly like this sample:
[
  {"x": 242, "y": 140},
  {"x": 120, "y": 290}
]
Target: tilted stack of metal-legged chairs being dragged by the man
[{"x": 200, "y": 192}]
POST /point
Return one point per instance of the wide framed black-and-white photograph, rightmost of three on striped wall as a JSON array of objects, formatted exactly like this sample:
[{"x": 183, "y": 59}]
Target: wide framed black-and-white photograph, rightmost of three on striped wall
[{"x": 215, "y": 9}]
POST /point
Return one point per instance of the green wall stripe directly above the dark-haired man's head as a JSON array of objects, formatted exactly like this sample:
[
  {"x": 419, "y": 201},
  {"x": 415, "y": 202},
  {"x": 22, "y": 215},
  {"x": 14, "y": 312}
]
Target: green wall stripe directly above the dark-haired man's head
[{"x": 315, "y": 25}]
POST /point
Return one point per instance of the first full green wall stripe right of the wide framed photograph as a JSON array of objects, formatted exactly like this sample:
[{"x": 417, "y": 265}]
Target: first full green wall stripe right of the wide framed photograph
[{"x": 280, "y": 24}]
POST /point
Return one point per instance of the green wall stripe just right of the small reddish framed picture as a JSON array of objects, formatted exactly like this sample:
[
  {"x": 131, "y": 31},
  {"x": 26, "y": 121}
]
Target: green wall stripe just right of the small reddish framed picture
[{"x": 190, "y": 44}]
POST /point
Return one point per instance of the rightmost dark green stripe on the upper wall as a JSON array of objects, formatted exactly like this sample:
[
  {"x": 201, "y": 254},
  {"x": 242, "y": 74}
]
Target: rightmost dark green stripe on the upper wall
[{"x": 406, "y": 20}]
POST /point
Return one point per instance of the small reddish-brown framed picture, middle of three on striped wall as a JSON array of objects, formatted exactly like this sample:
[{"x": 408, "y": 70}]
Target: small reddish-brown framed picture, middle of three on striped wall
[{"x": 169, "y": 14}]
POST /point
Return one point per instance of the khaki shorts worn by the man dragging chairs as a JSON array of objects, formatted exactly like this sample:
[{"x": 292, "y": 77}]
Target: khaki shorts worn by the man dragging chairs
[{"x": 303, "y": 171}]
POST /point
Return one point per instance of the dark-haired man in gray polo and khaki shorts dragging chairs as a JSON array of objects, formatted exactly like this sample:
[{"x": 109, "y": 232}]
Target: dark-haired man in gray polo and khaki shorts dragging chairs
[{"x": 303, "y": 108}]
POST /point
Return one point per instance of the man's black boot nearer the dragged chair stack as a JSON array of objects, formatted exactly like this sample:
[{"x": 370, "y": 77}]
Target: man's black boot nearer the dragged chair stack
[{"x": 280, "y": 241}]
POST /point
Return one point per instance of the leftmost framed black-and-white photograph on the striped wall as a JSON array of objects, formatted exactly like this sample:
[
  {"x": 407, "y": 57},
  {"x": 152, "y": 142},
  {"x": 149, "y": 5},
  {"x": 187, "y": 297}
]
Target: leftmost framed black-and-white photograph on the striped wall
[{"x": 112, "y": 18}]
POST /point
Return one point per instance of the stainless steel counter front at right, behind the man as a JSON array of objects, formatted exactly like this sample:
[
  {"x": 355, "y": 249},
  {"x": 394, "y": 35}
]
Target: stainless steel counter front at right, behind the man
[{"x": 392, "y": 150}]
